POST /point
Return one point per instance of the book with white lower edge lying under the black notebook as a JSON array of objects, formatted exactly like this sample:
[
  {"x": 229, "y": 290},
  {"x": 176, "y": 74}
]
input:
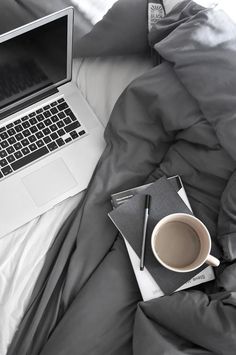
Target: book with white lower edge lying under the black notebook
[{"x": 148, "y": 284}]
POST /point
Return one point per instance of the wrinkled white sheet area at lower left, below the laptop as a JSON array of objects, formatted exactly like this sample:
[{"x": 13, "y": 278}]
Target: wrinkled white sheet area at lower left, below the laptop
[{"x": 22, "y": 255}]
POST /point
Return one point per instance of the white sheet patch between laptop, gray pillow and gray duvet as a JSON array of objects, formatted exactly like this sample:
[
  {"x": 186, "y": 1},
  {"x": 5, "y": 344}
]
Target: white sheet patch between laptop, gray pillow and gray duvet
[{"x": 102, "y": 80}]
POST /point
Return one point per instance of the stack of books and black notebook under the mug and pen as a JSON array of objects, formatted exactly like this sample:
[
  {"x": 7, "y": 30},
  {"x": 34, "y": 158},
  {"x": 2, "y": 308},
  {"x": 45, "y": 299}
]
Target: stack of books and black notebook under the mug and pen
[{"x": 168, "y": 196}]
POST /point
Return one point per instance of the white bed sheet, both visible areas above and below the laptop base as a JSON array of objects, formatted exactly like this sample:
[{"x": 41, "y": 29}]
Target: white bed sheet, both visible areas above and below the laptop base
[{"x": 22, "y": 252}]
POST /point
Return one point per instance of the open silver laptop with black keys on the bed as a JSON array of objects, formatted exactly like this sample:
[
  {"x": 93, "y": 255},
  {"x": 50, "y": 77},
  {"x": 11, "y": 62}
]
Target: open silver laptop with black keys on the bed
[{"x": 50, "y": 140}]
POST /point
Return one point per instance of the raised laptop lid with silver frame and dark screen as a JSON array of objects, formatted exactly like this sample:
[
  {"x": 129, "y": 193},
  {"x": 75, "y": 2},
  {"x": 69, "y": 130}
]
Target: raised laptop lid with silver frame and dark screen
[{"x": 34, "y": 59}]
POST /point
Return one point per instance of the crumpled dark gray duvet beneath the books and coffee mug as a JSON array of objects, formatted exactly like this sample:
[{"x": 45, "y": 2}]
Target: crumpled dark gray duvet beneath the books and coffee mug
[{"x": 178, "y": 118}]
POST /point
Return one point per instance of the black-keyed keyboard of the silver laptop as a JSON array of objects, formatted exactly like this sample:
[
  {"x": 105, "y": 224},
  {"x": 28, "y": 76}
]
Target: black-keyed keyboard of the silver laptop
[{"x": 36, "y": 135}]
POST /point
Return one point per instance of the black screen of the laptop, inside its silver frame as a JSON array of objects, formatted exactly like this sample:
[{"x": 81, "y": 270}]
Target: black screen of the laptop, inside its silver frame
[{"x": 33, "y": 61}]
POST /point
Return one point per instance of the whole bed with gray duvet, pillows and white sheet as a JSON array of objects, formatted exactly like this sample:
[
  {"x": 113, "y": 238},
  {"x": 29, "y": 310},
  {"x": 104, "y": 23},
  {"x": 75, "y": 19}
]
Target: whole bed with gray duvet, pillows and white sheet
[{"x": 67, "y": 287}]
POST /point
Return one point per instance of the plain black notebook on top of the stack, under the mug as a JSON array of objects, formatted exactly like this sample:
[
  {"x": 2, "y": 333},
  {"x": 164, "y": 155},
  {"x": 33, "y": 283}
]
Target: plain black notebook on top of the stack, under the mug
[{"x": 128, "y": 219}]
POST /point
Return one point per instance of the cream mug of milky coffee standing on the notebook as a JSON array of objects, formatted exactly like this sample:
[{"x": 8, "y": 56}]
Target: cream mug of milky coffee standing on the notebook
[{"x": 182, "y": 243}]
